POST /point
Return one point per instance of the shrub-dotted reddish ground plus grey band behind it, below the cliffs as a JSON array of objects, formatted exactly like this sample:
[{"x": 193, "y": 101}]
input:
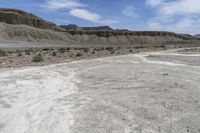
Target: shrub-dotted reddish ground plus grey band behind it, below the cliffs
[{"x": 19, "y": 54}]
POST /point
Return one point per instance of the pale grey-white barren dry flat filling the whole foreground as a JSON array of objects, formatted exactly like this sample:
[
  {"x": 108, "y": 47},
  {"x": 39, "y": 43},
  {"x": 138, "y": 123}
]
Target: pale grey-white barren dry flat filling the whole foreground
[{"x": 151, "y": 92}]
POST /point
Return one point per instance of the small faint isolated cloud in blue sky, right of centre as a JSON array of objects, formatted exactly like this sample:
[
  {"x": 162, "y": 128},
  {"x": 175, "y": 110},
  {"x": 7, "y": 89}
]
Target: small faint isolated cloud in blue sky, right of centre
[{"x": 129, "y": 11}]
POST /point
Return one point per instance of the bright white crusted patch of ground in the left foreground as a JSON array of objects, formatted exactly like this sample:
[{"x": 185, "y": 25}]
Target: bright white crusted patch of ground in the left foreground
[{"x": 37, "y": 99}]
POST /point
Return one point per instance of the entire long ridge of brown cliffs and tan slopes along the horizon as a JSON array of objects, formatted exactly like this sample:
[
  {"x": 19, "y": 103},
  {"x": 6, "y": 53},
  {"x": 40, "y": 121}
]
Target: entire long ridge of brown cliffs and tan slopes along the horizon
[{"x": 19, "y": 25}]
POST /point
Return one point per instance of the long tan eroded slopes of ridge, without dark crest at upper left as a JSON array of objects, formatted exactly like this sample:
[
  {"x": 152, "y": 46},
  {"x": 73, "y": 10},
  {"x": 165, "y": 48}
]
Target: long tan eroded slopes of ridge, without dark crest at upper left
[{"x": 28, "y": 33}]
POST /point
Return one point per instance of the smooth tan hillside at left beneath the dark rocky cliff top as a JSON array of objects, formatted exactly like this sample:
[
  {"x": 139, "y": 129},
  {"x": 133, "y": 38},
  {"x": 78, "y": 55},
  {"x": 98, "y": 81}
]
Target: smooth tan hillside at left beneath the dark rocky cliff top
[{"x": 32, "y": 34}]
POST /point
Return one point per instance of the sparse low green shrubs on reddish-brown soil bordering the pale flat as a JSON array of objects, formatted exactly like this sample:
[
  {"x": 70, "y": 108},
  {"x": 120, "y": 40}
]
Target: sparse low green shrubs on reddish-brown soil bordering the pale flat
[{"x": 53, "y": 55}]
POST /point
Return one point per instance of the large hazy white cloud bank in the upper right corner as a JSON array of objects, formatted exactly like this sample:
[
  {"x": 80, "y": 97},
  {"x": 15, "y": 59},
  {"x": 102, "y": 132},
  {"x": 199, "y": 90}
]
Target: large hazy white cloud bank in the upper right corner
[{"x": 179, "y": 15}]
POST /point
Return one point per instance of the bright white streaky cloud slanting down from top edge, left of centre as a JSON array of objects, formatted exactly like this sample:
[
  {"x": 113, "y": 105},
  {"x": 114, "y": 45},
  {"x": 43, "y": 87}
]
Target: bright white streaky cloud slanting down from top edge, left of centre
[{"x": 77, "y": 9}]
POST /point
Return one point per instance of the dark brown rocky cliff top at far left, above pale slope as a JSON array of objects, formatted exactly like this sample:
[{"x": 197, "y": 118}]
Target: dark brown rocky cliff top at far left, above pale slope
[{"x": 14, "y": 16}]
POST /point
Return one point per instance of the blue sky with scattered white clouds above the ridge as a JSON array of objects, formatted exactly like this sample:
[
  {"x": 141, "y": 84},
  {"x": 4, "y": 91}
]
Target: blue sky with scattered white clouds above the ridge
[{"x": 181, "y": 16}]
